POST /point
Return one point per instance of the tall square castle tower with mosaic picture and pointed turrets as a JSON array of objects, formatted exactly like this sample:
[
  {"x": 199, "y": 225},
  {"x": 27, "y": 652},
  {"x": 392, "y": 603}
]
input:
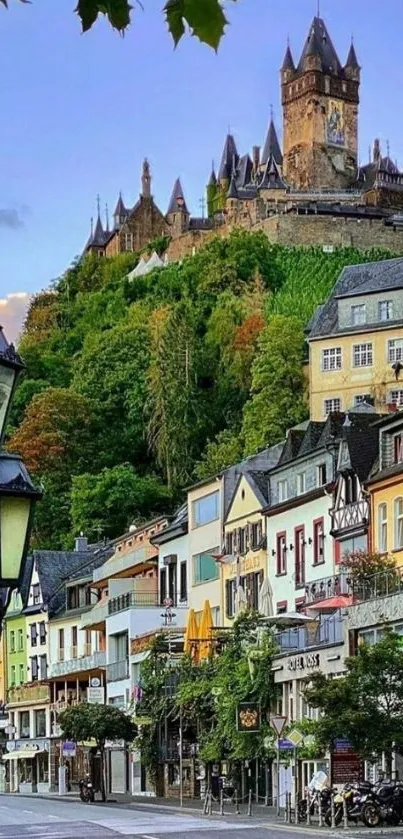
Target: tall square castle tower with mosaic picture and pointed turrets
[{"x": 320, "y": 114}]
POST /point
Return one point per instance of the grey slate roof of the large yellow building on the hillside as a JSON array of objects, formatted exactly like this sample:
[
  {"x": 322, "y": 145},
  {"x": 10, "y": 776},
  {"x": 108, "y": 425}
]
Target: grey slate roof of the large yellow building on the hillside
[{"x": 354, "y": 280}]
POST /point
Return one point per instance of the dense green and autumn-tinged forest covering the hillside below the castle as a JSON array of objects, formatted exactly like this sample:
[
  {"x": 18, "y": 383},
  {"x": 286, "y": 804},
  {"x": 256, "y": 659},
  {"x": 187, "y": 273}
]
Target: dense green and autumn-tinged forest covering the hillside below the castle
[{"x": 134, "y": 389}]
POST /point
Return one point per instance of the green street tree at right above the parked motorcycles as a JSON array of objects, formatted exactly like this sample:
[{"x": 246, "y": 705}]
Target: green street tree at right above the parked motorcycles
[{"x": 366, "y": 705}]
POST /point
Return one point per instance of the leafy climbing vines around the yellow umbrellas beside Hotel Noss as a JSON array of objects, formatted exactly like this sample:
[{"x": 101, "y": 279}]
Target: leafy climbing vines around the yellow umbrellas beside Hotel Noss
[{"x": 207, "y": 694}]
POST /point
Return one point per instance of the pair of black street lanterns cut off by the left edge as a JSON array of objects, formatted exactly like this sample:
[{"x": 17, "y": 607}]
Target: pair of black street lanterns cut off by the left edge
[{"x": 17, "y": 492}]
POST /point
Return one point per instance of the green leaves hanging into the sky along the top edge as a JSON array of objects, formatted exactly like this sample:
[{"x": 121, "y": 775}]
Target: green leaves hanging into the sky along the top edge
[{"x": 205, "y": 20}]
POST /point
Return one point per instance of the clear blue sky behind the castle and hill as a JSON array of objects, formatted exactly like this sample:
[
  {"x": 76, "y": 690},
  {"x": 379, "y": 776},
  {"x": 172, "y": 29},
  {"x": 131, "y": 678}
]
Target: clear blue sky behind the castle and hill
[{"x": 79, "y": 112}]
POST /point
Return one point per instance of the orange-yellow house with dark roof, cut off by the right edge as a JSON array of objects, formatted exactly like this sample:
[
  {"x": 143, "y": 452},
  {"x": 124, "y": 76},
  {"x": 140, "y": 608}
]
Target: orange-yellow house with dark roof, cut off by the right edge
[{"x": 386, "y": 490}]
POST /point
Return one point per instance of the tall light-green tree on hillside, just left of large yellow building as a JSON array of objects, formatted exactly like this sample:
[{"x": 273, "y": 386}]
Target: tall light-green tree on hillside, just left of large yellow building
[{"x": 278, "y": 394}]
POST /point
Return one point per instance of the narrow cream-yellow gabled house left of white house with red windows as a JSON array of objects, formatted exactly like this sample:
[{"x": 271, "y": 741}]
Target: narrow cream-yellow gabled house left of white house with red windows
[{"x": 245, "y": 540}]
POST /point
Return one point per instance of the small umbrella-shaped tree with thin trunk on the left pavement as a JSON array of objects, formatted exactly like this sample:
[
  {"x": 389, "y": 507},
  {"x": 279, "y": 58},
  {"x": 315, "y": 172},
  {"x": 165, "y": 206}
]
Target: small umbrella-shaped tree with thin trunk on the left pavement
[{"x": 100, "y": 723}]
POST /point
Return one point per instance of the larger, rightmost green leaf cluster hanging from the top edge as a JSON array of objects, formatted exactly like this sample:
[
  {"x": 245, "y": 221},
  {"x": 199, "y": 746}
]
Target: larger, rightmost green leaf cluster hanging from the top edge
[{"x": 205, "y": 18}]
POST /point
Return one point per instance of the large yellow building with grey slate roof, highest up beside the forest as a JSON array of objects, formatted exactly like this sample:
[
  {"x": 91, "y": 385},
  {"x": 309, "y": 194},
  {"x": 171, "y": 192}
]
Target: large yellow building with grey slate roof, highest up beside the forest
[{"x": 356, "y": 341}]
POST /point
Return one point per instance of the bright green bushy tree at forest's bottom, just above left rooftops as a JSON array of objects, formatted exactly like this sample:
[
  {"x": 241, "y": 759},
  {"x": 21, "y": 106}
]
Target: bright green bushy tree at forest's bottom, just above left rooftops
[{"x": 105, "y": 504}]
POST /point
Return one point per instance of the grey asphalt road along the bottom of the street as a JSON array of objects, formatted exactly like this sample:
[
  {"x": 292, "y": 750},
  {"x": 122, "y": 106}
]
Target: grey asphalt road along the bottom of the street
[{"x": 36, "y": 818}]
